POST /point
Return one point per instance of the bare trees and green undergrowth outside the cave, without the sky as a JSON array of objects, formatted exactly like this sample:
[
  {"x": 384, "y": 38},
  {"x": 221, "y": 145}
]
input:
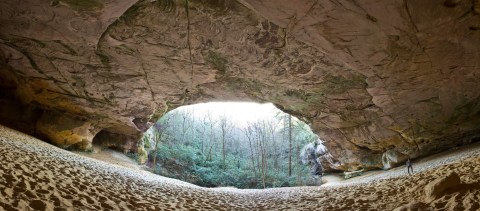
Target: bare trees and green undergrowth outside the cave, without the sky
[{"x": 191, "y": 149}]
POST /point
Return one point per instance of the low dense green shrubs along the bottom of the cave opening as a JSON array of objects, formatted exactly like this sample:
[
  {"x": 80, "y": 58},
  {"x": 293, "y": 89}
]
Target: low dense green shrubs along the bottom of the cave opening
[{"x": 197, "y": 169}]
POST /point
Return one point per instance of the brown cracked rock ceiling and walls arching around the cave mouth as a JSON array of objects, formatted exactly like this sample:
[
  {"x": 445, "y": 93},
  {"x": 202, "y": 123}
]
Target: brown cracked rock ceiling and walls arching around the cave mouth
[{"x": 370, "y": 76}]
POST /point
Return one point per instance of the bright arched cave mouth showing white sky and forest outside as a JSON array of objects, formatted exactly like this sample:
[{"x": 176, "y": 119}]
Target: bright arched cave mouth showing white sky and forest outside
[{"x": 225, "y": 144}]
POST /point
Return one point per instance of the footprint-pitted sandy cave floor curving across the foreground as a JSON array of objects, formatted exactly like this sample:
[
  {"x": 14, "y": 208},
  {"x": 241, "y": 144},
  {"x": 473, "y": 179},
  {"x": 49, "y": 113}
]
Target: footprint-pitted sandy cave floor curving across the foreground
[{"x": 37, "y": 176}]
